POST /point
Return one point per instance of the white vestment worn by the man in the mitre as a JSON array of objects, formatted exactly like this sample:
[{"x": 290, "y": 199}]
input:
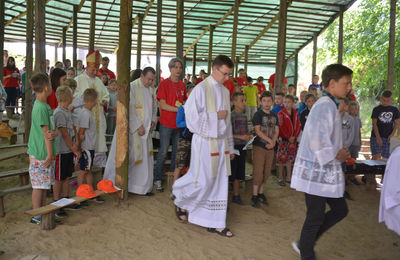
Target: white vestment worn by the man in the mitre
[{"x": 84, "y": 82}]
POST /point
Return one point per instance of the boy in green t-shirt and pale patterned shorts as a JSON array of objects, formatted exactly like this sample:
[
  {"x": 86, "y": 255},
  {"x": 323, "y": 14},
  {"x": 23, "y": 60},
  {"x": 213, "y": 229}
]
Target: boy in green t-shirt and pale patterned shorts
[{"x": 41, "y": 144}]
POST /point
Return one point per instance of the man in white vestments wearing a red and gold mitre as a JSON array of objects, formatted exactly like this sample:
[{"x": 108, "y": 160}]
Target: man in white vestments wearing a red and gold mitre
[{"x": 86, "y": 80}]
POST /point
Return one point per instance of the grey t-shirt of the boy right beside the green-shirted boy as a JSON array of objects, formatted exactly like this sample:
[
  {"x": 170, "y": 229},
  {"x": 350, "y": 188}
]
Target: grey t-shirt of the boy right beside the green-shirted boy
[{"x": 63, "y": 118}]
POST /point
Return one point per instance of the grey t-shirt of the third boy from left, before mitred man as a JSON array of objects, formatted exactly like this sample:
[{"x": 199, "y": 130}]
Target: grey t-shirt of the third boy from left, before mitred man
[{"x": 86, "y": 120}]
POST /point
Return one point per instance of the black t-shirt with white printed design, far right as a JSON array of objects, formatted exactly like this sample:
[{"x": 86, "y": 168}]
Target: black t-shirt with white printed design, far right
[{"x": 385, "y": 119}]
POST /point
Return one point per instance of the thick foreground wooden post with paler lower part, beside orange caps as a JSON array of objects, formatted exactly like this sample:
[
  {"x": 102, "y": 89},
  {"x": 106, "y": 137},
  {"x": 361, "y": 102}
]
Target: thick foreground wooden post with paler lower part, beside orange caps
[{"x": 123, "y": 71}]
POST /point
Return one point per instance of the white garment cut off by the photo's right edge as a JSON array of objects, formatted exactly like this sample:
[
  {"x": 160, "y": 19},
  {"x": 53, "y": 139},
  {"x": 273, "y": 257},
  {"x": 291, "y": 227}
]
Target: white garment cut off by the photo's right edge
[{"x": 389, "y": 209}]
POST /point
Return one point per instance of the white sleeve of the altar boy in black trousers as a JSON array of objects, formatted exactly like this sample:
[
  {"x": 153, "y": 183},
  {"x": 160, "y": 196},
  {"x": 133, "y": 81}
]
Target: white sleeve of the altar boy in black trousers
[{"x": 320, "y": 139}]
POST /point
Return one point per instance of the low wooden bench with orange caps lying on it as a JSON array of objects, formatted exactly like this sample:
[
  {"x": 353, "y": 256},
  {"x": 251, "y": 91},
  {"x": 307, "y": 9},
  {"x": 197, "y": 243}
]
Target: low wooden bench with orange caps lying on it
[{"x": 47, "y": 221}]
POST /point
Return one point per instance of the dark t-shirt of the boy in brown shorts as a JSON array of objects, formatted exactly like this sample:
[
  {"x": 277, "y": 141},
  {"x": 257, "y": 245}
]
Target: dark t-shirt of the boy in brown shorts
[{"x": 267, "y": 123}]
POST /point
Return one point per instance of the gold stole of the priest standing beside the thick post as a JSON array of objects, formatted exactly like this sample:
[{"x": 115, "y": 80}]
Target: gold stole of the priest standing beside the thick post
[{"x": 137, "y": 142}]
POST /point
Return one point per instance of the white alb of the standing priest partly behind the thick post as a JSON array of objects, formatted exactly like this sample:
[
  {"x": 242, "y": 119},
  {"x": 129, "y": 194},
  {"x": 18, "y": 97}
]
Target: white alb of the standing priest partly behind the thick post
[{"x": 140, "y": 177}]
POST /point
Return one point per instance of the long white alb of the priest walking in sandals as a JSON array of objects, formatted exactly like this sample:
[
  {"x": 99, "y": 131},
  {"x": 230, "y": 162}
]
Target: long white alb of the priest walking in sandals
[{"x": 205, "y": 197}]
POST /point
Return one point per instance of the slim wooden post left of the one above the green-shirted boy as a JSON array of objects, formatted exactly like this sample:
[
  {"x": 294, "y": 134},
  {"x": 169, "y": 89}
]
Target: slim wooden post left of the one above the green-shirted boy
[{"x": 28, "y": 67}]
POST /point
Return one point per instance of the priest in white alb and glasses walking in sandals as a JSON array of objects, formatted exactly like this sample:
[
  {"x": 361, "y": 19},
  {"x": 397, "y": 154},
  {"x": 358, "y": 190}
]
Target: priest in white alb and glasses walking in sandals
[{"x": 202, "y": 192}]
